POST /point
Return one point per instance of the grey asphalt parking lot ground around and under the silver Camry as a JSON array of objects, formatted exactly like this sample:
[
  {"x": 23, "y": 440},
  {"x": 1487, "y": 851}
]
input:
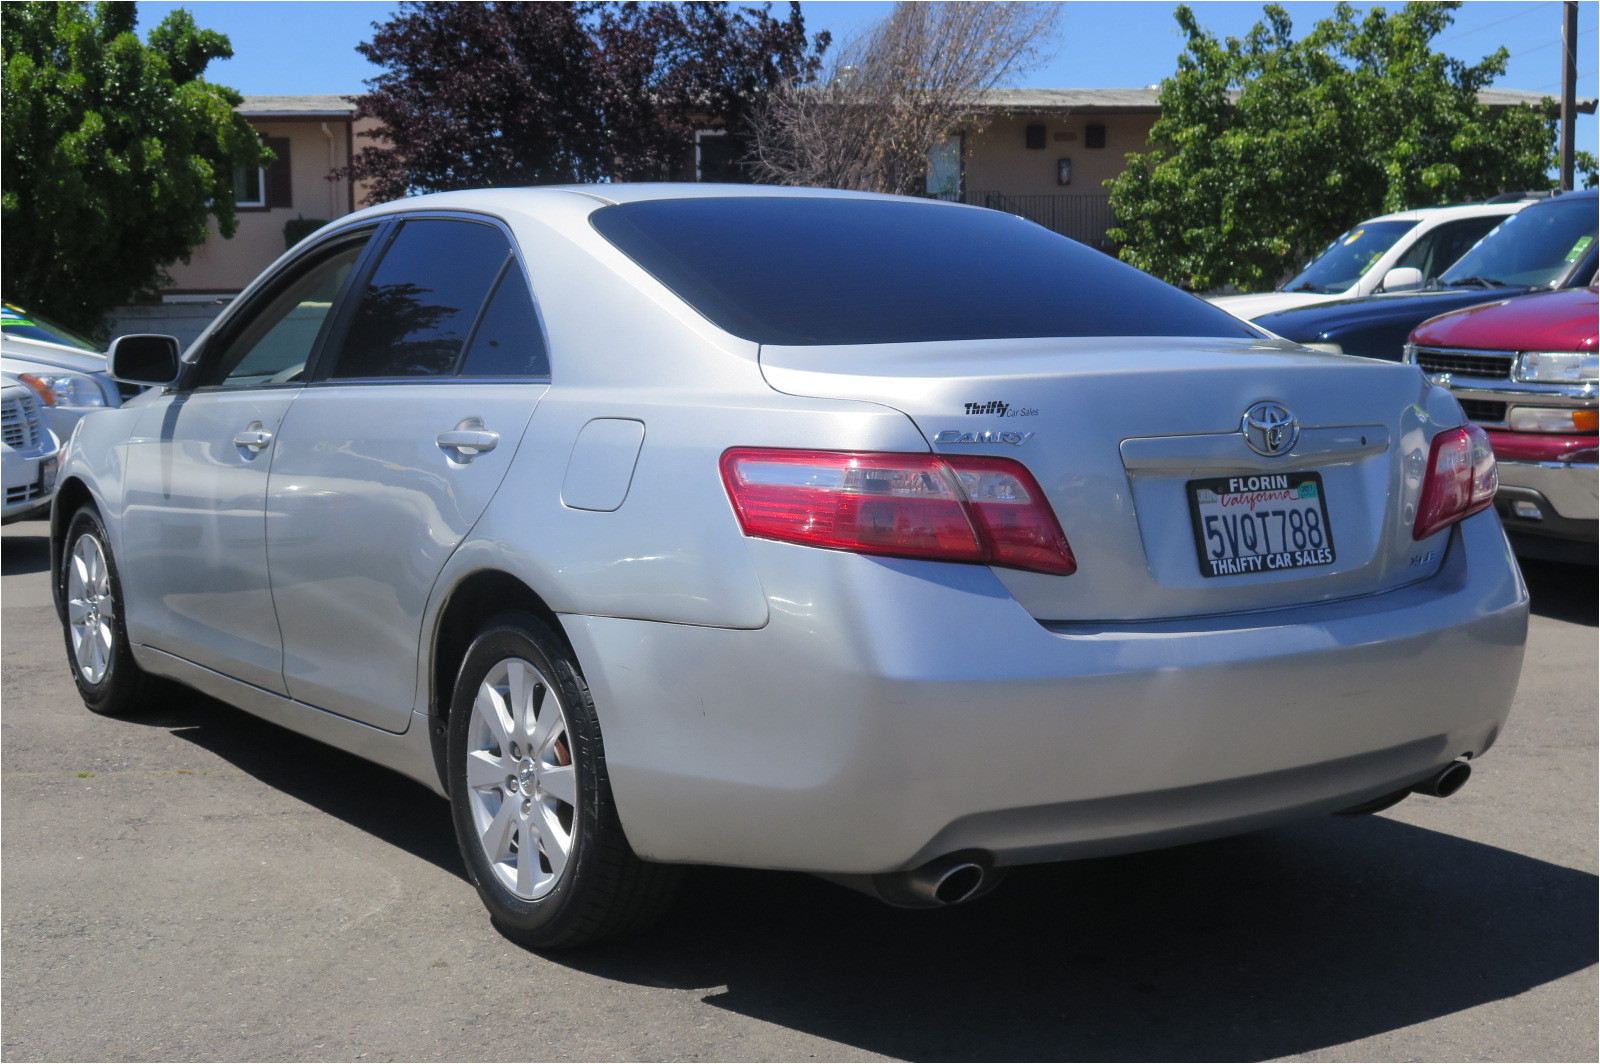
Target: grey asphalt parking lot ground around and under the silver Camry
[{"x": 204, "y": 886}]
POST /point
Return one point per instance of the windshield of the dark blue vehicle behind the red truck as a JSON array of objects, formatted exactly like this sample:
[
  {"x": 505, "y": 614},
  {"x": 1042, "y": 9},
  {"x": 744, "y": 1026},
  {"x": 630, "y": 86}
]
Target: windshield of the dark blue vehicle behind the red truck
[{"x": 1534, "y": 249}]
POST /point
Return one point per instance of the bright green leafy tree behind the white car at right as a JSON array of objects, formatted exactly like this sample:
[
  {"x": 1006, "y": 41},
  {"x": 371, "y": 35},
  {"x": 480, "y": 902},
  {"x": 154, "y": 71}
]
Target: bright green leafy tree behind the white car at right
[{"x": 1268, "y": 148}]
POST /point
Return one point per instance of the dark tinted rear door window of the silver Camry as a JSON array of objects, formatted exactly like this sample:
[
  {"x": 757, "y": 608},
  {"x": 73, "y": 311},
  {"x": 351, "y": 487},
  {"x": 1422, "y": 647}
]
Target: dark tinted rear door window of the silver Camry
[{"x": 418, "y": 311}]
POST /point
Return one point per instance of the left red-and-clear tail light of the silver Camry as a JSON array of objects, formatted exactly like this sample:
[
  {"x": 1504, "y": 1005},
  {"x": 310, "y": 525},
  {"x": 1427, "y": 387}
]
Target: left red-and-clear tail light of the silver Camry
[{"x": 988, "y": 511}]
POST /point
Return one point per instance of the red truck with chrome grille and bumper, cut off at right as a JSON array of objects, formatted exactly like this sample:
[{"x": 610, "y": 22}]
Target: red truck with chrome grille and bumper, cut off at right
[{"x": 1527, "y": 372}]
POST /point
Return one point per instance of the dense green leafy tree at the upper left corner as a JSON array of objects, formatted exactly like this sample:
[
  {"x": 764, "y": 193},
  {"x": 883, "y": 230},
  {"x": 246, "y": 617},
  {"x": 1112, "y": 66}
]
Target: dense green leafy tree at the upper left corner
[{"x": 113, "y": 154}]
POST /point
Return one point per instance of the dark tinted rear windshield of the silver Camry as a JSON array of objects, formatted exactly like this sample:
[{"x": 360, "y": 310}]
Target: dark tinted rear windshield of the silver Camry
[{"x": 839, "y": 271}]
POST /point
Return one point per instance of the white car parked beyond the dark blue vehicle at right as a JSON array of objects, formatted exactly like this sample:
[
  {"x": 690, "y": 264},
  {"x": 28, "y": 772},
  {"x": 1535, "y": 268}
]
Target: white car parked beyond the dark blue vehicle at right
[{"x": 1399, "y": 252}]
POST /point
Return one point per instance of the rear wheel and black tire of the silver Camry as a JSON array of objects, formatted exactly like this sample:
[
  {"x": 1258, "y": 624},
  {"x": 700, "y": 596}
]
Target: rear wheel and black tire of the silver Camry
[{"x": 532, "y": 801}]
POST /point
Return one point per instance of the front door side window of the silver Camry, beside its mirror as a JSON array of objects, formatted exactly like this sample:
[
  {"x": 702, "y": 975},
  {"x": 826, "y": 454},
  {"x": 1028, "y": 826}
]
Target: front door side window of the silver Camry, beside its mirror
[{"x": 273, "y": 338}]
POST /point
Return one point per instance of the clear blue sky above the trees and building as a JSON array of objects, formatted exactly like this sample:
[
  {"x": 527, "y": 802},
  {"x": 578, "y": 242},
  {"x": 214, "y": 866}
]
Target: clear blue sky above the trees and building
[{"x": 298, "y": 47}]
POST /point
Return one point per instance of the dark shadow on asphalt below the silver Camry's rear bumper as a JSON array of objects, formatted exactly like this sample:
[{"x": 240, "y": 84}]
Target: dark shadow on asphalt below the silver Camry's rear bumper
[{"x": 1242, "y": 950}]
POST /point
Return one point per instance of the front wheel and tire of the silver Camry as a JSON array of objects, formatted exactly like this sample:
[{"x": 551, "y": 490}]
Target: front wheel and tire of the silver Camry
[{"x": 110, "y": 681}]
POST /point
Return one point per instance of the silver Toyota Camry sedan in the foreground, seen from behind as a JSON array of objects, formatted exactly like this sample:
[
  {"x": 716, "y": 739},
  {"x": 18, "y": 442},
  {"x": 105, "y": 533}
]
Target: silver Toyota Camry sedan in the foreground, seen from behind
[{"x": 887, "y": 540}]
